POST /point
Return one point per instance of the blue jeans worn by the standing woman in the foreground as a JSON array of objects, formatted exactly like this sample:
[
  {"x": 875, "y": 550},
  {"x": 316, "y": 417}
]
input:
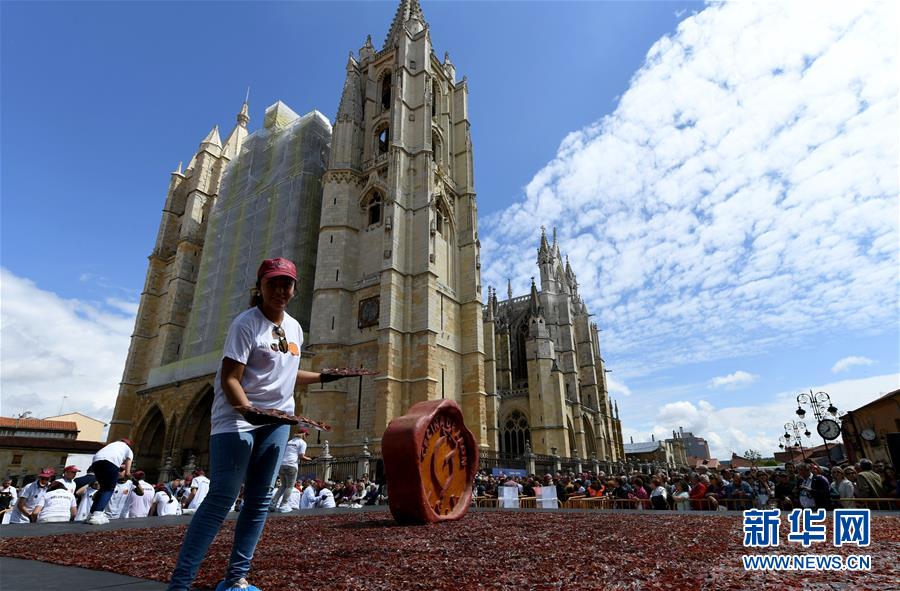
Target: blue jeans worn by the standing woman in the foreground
[{"x": 251, "y": 458}]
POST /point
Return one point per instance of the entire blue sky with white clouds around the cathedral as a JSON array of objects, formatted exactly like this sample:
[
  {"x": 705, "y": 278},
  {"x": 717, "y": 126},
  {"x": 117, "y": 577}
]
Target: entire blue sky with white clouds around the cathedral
[{"x": 724, "y": 179}]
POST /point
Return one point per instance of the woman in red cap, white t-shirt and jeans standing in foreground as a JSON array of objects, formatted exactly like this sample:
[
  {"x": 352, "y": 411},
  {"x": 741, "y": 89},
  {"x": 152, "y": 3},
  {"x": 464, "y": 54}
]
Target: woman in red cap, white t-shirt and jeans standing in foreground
[{"x": 260, "y": 366}]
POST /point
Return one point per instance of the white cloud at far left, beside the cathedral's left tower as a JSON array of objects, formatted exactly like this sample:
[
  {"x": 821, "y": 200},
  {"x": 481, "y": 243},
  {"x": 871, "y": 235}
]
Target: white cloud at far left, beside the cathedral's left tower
[{"x": 52, "y": 348}]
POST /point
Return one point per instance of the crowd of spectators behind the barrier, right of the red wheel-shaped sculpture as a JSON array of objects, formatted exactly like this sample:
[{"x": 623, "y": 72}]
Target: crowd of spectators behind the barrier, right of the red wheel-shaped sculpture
[{"x": 705, "y": 489}]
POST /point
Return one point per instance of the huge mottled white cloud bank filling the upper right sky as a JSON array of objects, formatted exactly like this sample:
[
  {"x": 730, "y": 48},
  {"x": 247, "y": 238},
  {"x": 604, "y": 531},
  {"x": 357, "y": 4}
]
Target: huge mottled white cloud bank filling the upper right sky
[{"x": 742, "y": 195}]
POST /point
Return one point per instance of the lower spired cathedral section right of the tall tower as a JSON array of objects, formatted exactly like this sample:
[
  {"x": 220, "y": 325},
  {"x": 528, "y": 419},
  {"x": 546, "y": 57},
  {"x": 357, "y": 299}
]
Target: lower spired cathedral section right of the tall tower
[{"x": 549, "y": 388}]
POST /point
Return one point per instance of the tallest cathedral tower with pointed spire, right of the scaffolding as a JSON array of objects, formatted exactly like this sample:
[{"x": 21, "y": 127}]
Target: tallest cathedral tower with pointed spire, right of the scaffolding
[{"x": 397, "y": 283}]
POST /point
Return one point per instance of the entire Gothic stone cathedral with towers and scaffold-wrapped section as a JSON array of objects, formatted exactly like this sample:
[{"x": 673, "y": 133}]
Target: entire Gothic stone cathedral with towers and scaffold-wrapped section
[{"x": 379, "y": 213}]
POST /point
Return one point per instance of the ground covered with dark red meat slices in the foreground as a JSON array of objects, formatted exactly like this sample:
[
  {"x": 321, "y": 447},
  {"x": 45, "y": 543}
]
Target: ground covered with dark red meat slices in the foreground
[{"x": 484, "y": 550}]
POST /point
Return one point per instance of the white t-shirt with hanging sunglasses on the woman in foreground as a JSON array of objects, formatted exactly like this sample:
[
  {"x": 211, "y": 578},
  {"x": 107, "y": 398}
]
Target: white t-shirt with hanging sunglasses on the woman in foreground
[{"x": 269, "y": 375}]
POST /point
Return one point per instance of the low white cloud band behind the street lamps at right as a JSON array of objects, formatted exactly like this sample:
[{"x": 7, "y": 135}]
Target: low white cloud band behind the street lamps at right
[{"x": 739, "y": 428}]
